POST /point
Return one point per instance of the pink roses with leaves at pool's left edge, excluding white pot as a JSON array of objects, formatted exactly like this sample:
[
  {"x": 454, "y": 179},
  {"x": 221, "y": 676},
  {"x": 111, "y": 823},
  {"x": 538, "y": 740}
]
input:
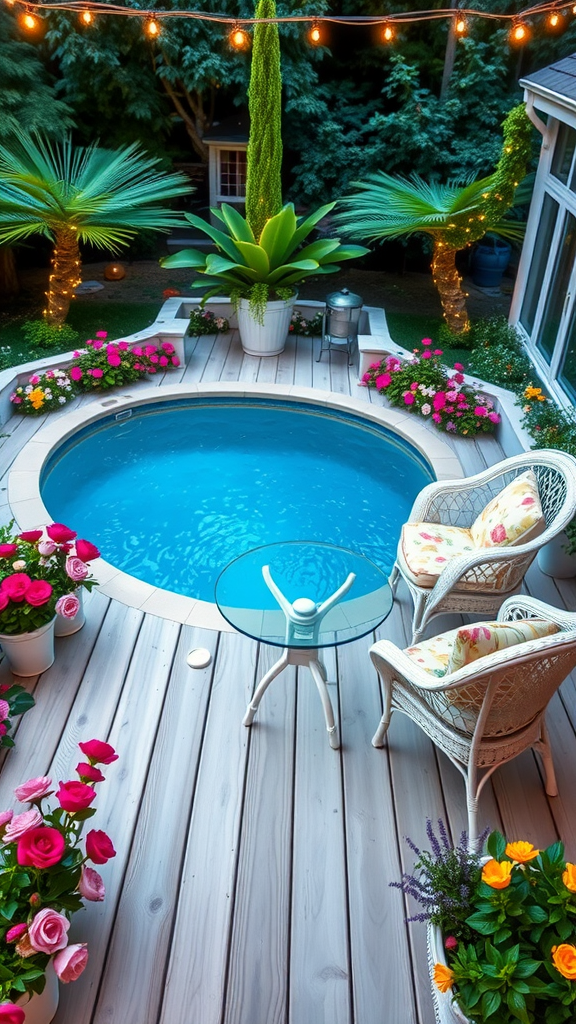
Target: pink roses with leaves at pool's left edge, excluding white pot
[{"x": 39, "y": 572}]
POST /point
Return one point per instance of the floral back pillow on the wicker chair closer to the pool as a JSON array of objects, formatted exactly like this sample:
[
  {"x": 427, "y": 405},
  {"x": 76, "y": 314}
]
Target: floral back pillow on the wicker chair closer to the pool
[{"x": 513, "y": 517}]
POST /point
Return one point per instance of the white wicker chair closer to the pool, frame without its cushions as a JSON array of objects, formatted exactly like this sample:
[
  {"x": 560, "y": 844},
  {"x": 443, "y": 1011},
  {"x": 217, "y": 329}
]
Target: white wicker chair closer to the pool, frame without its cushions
[{"x": 496, "y": 573}]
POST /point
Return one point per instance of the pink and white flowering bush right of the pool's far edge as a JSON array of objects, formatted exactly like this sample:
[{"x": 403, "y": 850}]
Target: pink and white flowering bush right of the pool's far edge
[{"x": 424, "y": 386}]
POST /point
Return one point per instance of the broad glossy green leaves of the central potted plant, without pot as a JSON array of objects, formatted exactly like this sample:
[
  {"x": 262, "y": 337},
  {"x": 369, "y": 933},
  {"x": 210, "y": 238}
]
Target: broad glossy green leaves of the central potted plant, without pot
[{"x": 275, "y": 265}]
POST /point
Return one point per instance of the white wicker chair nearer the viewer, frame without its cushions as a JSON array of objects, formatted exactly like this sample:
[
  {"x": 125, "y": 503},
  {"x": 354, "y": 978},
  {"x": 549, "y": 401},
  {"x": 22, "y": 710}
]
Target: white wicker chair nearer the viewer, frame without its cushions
[{"x": 488, "y": 712}]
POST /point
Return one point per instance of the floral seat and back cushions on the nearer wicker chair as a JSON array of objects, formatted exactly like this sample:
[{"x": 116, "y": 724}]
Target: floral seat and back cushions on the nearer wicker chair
[{"x": 449, "y": 652}]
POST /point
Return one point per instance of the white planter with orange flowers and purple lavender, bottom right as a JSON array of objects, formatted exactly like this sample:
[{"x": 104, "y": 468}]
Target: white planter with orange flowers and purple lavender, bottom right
[{"x": 502, "y": 930}]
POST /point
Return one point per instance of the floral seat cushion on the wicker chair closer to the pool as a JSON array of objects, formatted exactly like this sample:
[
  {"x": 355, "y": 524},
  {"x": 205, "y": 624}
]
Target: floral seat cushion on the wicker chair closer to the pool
[{"x": 426, "y": 549}]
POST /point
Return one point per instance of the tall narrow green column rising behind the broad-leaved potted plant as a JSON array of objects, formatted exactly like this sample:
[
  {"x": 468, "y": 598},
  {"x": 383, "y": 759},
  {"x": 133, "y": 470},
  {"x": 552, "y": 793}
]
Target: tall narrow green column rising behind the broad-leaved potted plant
[{"x": 264, "y": 185}]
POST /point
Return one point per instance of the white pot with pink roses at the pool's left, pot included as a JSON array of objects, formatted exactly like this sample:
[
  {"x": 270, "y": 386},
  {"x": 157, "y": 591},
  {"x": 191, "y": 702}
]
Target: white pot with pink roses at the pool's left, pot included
[{"x": 42, "y": 575}]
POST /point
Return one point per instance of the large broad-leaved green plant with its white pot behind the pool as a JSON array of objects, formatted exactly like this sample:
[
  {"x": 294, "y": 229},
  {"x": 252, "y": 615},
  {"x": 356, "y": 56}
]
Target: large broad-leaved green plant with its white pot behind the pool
[{"x": 262, "y": 275}]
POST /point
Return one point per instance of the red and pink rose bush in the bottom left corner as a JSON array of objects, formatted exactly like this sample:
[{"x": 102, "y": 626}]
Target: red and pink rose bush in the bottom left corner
[{"x": 45, "y": 878}]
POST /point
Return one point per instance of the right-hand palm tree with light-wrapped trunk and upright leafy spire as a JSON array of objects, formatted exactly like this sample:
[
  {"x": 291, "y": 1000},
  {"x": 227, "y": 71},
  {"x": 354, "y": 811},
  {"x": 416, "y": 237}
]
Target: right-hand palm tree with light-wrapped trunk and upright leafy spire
[{"x": 455, "y": 215}]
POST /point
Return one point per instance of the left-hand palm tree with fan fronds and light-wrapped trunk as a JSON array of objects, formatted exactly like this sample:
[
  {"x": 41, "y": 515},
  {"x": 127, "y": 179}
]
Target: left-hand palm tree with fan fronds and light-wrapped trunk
[{"x": 72, "y": 195}]
